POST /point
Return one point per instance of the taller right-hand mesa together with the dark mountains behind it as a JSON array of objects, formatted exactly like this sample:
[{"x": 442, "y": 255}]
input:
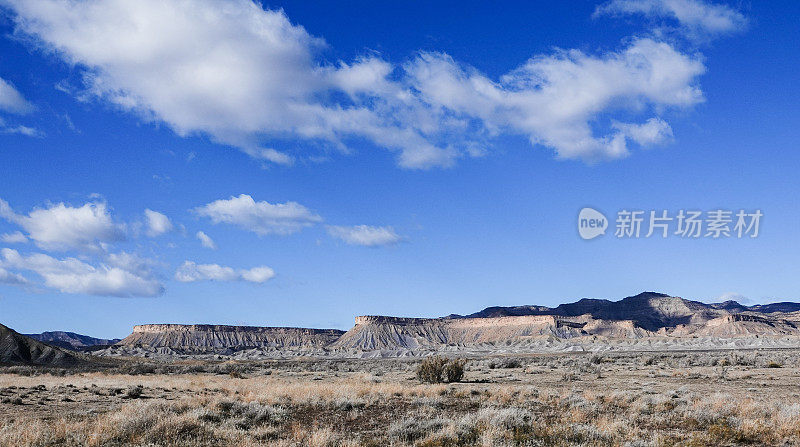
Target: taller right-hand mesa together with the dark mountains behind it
[{"x": 641, "y": 321}]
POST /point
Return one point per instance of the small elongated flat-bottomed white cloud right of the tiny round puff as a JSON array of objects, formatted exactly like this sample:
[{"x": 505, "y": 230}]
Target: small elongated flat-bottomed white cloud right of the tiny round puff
[{"x": 259, "y": 217}]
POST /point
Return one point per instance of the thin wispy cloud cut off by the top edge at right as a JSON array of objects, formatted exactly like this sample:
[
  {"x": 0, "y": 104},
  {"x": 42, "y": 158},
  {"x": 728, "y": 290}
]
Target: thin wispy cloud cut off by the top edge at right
[{"x": 696, "y": 17}]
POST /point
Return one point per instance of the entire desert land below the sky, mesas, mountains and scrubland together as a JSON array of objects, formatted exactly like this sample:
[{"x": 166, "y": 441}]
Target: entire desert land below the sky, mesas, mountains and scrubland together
[{"x": 648, "y": 370}]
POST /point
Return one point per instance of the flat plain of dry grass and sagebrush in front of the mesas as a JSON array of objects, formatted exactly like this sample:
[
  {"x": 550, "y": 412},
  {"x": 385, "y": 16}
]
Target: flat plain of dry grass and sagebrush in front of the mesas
[{"x": 678, "y": 398}]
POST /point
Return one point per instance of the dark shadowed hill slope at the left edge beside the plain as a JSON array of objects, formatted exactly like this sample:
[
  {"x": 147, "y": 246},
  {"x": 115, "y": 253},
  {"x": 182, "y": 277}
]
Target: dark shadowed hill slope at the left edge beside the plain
[{"x": 17, "y": 349}]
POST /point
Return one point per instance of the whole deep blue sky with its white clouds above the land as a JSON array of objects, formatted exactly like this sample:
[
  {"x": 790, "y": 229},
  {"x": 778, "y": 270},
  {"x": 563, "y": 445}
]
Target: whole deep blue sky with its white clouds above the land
[{"x": 362, "y": 158}]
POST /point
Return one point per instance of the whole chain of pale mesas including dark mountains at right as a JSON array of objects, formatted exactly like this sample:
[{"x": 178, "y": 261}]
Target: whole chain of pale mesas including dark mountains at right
[{"x": 648, "y": 321}]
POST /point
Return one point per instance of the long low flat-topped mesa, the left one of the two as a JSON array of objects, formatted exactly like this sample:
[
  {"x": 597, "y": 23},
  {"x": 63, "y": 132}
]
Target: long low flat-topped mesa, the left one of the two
[{"x": 205, "y": 337}]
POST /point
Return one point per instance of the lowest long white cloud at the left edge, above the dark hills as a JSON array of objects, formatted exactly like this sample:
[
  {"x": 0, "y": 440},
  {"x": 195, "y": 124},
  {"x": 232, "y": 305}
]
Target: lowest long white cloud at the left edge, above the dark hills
[{"x": 123, "y": 276}]
